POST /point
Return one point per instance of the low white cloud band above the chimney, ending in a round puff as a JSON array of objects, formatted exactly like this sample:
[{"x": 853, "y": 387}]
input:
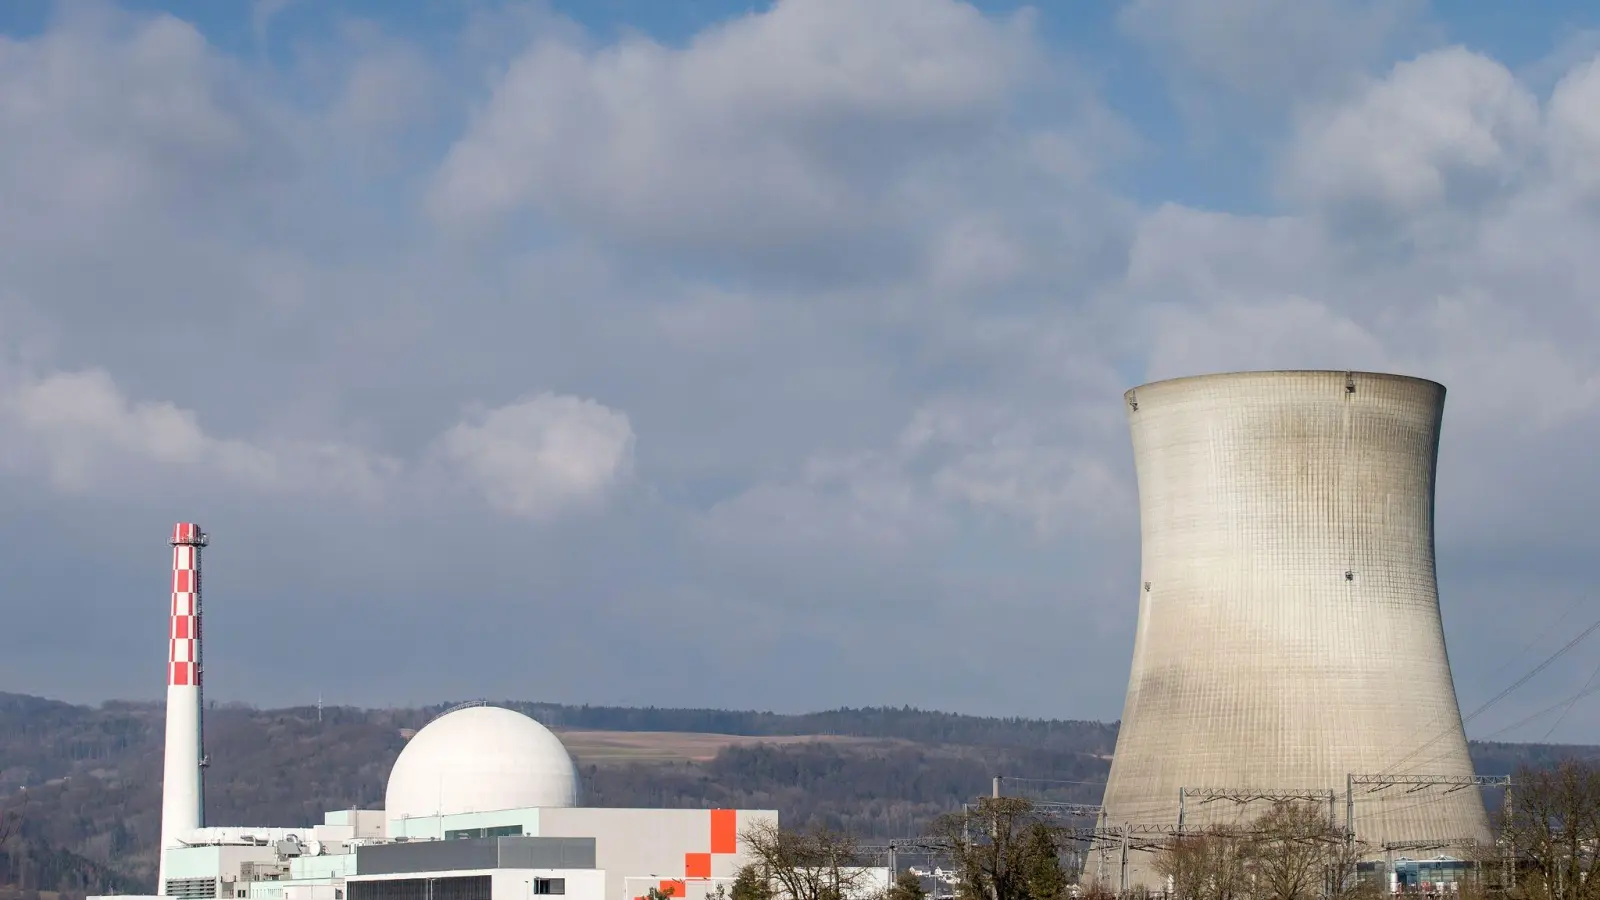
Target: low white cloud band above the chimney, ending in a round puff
[{"x": 534, "y": 459}]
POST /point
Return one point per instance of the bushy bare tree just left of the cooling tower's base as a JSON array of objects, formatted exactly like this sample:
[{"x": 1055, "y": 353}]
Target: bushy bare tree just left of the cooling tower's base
[{"x": 1004, "y": 850}]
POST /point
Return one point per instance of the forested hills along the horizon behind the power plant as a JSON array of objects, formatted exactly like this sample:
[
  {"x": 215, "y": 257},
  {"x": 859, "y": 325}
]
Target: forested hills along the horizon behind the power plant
[{"x": 92, "y": 774}]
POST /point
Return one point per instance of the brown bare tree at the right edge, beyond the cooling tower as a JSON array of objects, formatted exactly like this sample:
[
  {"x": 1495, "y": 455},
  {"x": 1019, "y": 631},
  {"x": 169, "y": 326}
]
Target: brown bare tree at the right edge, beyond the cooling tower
[{"x": 1554, "y": 829}]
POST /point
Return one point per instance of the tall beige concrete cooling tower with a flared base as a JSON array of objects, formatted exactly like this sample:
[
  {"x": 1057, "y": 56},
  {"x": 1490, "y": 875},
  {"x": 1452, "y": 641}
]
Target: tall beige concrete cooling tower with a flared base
[{"x": 1289, "y": 614}]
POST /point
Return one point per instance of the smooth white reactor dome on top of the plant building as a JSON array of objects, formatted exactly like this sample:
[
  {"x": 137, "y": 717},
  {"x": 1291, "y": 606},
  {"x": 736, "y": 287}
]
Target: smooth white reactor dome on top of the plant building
[{"x": 481, "y": 760}]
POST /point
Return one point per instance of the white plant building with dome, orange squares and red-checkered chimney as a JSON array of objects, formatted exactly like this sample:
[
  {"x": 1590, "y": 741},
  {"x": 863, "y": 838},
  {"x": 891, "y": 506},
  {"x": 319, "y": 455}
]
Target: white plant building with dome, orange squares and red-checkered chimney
[{"x": 481, "y": 805}]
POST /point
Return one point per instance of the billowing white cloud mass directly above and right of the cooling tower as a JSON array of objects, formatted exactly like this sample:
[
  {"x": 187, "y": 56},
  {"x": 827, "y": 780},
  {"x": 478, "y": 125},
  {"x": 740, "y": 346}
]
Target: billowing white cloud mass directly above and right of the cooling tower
[{"x": 1458, "y": 254}]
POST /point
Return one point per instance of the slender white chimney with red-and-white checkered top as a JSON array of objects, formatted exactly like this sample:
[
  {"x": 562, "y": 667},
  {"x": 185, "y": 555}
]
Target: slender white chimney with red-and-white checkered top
[{"x": 183, "y": 776}]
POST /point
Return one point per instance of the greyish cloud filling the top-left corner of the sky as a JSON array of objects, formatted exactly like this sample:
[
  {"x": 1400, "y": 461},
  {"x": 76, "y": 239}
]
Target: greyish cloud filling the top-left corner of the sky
[{"x": 110, "y": 113}]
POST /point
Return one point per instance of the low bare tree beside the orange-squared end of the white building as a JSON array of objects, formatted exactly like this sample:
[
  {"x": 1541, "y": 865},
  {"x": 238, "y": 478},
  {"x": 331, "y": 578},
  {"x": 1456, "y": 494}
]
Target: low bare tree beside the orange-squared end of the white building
[{"x": 809, "y": 866}]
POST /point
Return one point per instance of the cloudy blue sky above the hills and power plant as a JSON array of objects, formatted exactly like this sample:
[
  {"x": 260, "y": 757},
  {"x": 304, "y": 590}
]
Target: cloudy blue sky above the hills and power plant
[{"x": 756, "y": 355}]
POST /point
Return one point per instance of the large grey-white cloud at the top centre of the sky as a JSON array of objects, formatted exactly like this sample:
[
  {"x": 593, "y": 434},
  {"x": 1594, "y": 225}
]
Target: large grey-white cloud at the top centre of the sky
[{"x": 793, "y": 126}]
